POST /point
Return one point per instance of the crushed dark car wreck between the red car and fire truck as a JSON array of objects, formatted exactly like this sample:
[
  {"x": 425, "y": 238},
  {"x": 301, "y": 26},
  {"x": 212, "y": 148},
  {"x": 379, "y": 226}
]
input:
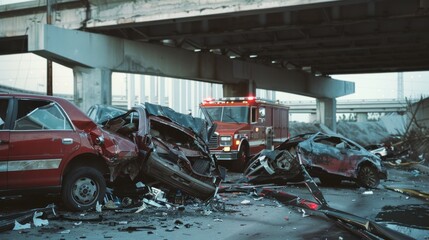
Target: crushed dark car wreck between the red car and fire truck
[{"x": 172, "y": 148}]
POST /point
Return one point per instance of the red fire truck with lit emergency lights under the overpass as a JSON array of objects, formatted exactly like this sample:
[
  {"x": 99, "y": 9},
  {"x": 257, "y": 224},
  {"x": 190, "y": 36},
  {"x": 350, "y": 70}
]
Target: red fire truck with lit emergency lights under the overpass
[{"x": 245, "y": 126}]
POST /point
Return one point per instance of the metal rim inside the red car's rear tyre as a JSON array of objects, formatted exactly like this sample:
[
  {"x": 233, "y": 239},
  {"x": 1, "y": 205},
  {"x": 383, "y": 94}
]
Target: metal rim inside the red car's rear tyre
[{"x": 85, "y": 191}]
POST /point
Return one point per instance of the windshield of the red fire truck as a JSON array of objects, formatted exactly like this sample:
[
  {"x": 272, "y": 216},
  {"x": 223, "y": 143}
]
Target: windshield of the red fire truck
[{"x": 229, "y": 114}]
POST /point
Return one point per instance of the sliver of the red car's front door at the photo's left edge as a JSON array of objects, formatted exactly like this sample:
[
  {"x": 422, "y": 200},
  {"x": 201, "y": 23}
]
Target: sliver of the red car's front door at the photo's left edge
[{"x": 4, "y": 142}]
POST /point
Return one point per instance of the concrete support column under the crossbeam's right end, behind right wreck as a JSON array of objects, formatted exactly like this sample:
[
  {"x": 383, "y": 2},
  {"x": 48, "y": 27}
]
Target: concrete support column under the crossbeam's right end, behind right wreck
[{"x": 326, "y": 112}]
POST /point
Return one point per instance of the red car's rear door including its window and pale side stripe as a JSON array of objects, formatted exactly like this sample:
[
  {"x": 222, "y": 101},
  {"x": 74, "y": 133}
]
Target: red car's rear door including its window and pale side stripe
[{"x": 41, "y": 137}]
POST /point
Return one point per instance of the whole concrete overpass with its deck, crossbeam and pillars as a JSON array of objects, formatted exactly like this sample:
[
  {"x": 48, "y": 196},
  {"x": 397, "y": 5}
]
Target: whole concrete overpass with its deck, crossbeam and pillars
[{"x": 289, "y": 46}]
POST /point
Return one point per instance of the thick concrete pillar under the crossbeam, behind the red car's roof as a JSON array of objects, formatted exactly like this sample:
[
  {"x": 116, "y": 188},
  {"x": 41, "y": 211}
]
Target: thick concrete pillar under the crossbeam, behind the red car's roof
[{"x": 92, "y": 86}]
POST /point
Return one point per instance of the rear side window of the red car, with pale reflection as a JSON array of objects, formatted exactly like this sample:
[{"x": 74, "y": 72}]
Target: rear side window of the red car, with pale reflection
[{"x": 40, "y": 115}]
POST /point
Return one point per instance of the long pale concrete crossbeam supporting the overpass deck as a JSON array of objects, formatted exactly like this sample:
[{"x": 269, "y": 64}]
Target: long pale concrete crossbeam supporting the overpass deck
[{"x": 105, "y": 52}]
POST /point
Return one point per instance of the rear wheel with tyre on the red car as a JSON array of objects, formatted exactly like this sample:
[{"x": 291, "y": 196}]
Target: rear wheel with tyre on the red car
[{"x": 82, "y": 188}]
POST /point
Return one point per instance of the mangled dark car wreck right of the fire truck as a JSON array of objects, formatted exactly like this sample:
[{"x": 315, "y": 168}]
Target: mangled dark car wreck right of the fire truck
[{"x": 331, "y": 158}]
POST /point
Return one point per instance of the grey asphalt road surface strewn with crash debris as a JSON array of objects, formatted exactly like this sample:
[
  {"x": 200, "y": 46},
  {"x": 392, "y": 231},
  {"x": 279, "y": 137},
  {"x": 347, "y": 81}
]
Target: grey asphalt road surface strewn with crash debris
[{"x": 242, "y": 215}]
